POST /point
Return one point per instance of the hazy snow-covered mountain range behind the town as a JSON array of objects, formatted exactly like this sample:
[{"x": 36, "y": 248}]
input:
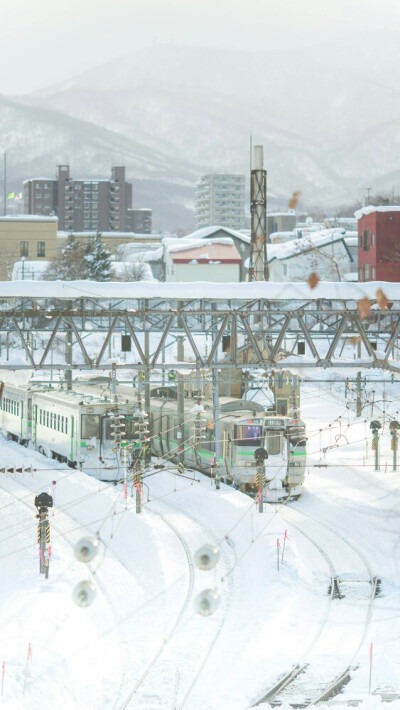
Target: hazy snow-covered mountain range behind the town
[{"x": 328, "y": 116}]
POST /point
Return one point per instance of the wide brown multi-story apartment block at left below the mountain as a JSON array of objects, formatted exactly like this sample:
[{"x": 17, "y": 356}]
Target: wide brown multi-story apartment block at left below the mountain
[{"x": 81, "y": 205}]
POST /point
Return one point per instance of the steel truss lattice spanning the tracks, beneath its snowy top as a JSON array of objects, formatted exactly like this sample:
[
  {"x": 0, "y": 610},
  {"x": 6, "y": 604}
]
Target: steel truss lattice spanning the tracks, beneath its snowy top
[{"x": 261, "y": 331}]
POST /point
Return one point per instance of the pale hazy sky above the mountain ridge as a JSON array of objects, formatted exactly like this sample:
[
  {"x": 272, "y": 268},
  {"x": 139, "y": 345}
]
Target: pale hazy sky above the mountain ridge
[{"x": 45, "y": 41}]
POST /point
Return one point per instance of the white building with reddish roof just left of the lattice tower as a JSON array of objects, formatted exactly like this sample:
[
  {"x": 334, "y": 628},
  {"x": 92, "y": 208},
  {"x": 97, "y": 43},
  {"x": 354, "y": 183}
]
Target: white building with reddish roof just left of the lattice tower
[{"x": 205, "y": 260}]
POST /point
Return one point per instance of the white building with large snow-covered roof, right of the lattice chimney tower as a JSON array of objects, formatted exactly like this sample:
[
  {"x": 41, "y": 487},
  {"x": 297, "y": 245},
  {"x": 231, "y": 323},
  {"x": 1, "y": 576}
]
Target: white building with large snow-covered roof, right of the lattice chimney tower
[{"x": 326, "y": 253}]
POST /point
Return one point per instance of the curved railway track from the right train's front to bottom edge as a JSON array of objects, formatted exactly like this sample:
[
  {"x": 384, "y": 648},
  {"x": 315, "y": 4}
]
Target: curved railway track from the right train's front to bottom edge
[{"x": 305, "y": 683}]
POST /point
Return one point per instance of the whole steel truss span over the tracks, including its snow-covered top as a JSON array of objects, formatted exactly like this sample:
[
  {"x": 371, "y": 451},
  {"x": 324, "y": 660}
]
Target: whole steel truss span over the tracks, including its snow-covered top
[{"x": 72, "y": 325}]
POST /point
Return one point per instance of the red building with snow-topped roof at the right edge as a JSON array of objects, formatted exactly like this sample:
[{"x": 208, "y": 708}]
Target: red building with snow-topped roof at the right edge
[{"x": 378, "y": 243}]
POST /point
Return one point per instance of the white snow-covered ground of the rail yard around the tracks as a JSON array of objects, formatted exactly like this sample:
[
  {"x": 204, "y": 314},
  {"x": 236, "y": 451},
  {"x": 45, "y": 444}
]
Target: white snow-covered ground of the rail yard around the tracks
[{"x": 142, "y": 645}]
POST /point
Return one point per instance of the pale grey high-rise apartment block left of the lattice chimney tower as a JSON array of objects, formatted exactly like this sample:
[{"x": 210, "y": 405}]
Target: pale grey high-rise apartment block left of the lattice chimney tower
[{"x": 220, "y": 200}]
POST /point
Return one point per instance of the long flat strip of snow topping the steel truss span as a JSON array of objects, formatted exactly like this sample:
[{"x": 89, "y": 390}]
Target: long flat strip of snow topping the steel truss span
[{"x": 199, "y": 290}]
